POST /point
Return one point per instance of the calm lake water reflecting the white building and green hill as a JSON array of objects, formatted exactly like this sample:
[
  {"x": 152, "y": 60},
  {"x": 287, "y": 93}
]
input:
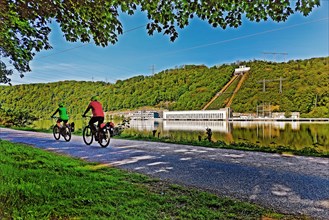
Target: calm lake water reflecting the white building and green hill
[{"x": 296, "y": 135}]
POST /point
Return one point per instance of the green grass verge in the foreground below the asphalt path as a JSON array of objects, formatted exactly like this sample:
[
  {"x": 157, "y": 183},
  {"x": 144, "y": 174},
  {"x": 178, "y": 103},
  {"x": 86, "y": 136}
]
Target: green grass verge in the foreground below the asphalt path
[{"x": 37, "y": 184}]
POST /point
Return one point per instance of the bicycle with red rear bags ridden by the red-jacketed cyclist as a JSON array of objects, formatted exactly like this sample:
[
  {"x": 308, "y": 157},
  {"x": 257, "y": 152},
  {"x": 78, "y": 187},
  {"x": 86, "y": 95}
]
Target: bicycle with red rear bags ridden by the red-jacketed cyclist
[{"x": 102, "y": 134}]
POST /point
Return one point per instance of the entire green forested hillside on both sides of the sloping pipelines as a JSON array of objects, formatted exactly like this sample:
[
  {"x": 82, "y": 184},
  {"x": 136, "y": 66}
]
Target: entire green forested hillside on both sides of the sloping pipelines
[{"x": 304, "y": 89}]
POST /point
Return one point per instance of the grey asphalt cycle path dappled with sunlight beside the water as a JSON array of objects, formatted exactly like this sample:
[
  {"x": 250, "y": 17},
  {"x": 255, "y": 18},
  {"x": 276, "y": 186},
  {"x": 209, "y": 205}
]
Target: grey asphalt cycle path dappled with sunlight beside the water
[{"x": 289, "y": 184}]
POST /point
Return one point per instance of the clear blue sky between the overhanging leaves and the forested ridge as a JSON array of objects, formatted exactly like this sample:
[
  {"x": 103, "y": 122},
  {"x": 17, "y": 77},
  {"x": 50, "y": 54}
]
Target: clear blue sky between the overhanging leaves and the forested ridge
[{"x": 137, "y": 53}]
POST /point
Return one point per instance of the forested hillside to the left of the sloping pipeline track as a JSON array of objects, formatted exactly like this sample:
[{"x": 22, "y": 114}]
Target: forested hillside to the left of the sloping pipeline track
[{"x": 188, "y": 87}]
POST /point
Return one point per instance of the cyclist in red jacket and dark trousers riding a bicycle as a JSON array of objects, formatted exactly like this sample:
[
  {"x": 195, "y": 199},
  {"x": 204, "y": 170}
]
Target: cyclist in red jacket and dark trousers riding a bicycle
[{"x": 98, "y": 114}]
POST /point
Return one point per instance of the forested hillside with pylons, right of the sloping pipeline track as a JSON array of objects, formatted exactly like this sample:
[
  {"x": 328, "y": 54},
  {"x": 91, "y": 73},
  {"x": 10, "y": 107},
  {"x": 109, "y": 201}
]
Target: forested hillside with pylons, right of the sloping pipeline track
[{"x": 305, "y": 87}]
